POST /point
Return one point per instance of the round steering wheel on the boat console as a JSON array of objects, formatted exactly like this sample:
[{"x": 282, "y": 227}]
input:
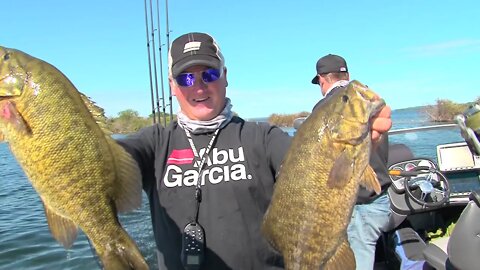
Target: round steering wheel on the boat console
[{"x": 430, "y": 186}]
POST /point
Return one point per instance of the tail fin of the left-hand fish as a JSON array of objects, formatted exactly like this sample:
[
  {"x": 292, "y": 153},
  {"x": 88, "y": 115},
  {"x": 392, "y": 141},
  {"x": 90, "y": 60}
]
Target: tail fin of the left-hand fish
[{"x": 123, "y": 254}]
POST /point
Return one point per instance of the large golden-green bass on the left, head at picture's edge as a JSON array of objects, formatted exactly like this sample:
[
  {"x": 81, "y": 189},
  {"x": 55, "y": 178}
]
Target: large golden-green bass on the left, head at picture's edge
[{"x": 83, "y": 177}]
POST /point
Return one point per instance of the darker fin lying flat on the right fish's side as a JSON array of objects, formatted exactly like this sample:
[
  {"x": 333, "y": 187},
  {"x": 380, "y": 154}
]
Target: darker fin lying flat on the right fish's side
[{"x": 341, "y": 171}]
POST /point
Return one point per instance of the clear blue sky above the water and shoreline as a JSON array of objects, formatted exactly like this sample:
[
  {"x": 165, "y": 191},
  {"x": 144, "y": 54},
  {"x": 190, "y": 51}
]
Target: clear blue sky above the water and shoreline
[{"x": 411, "y": 52}]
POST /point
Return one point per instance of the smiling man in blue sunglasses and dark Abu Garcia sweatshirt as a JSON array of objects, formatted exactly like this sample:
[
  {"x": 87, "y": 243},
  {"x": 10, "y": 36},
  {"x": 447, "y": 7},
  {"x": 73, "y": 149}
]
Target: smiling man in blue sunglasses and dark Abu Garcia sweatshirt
[{"x": 210, "y": 168}]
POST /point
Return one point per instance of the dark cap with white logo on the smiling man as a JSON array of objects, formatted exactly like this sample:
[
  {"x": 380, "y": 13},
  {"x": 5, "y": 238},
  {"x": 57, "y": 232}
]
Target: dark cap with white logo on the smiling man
[{"x": 194, "y": 49}]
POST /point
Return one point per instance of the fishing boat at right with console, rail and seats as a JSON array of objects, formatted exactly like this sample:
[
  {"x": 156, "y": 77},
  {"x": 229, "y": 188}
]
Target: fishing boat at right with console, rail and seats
[{"x": 434, "y": 203}]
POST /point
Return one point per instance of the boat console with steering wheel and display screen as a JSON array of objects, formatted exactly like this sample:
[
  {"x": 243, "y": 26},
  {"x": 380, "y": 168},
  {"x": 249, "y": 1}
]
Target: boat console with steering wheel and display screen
[{"x": 421, "y": 184}]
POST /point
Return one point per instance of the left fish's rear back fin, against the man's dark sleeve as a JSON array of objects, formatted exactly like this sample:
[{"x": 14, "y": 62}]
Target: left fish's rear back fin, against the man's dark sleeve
[{"x": 128, "y": 192}]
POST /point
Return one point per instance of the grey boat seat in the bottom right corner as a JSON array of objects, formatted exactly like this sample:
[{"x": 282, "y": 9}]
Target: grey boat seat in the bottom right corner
[{"x": 463, "y": 245}]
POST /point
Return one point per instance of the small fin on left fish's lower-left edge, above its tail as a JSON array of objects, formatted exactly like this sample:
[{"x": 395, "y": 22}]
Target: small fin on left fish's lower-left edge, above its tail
[{"x": 62, "y": 228}]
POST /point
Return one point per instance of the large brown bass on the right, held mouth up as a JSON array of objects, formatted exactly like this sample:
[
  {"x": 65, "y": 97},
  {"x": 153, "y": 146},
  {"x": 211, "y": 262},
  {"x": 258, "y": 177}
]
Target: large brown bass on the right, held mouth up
[{"x": 318, "y": 182}]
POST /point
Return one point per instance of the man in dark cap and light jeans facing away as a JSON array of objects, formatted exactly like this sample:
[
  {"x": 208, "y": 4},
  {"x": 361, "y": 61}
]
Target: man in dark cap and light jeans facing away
[{"x": 372, "y": 211}]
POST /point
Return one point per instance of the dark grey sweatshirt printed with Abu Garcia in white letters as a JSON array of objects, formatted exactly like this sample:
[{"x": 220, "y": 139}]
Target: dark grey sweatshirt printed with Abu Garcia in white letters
[{"x": 237, "y": 184}]
